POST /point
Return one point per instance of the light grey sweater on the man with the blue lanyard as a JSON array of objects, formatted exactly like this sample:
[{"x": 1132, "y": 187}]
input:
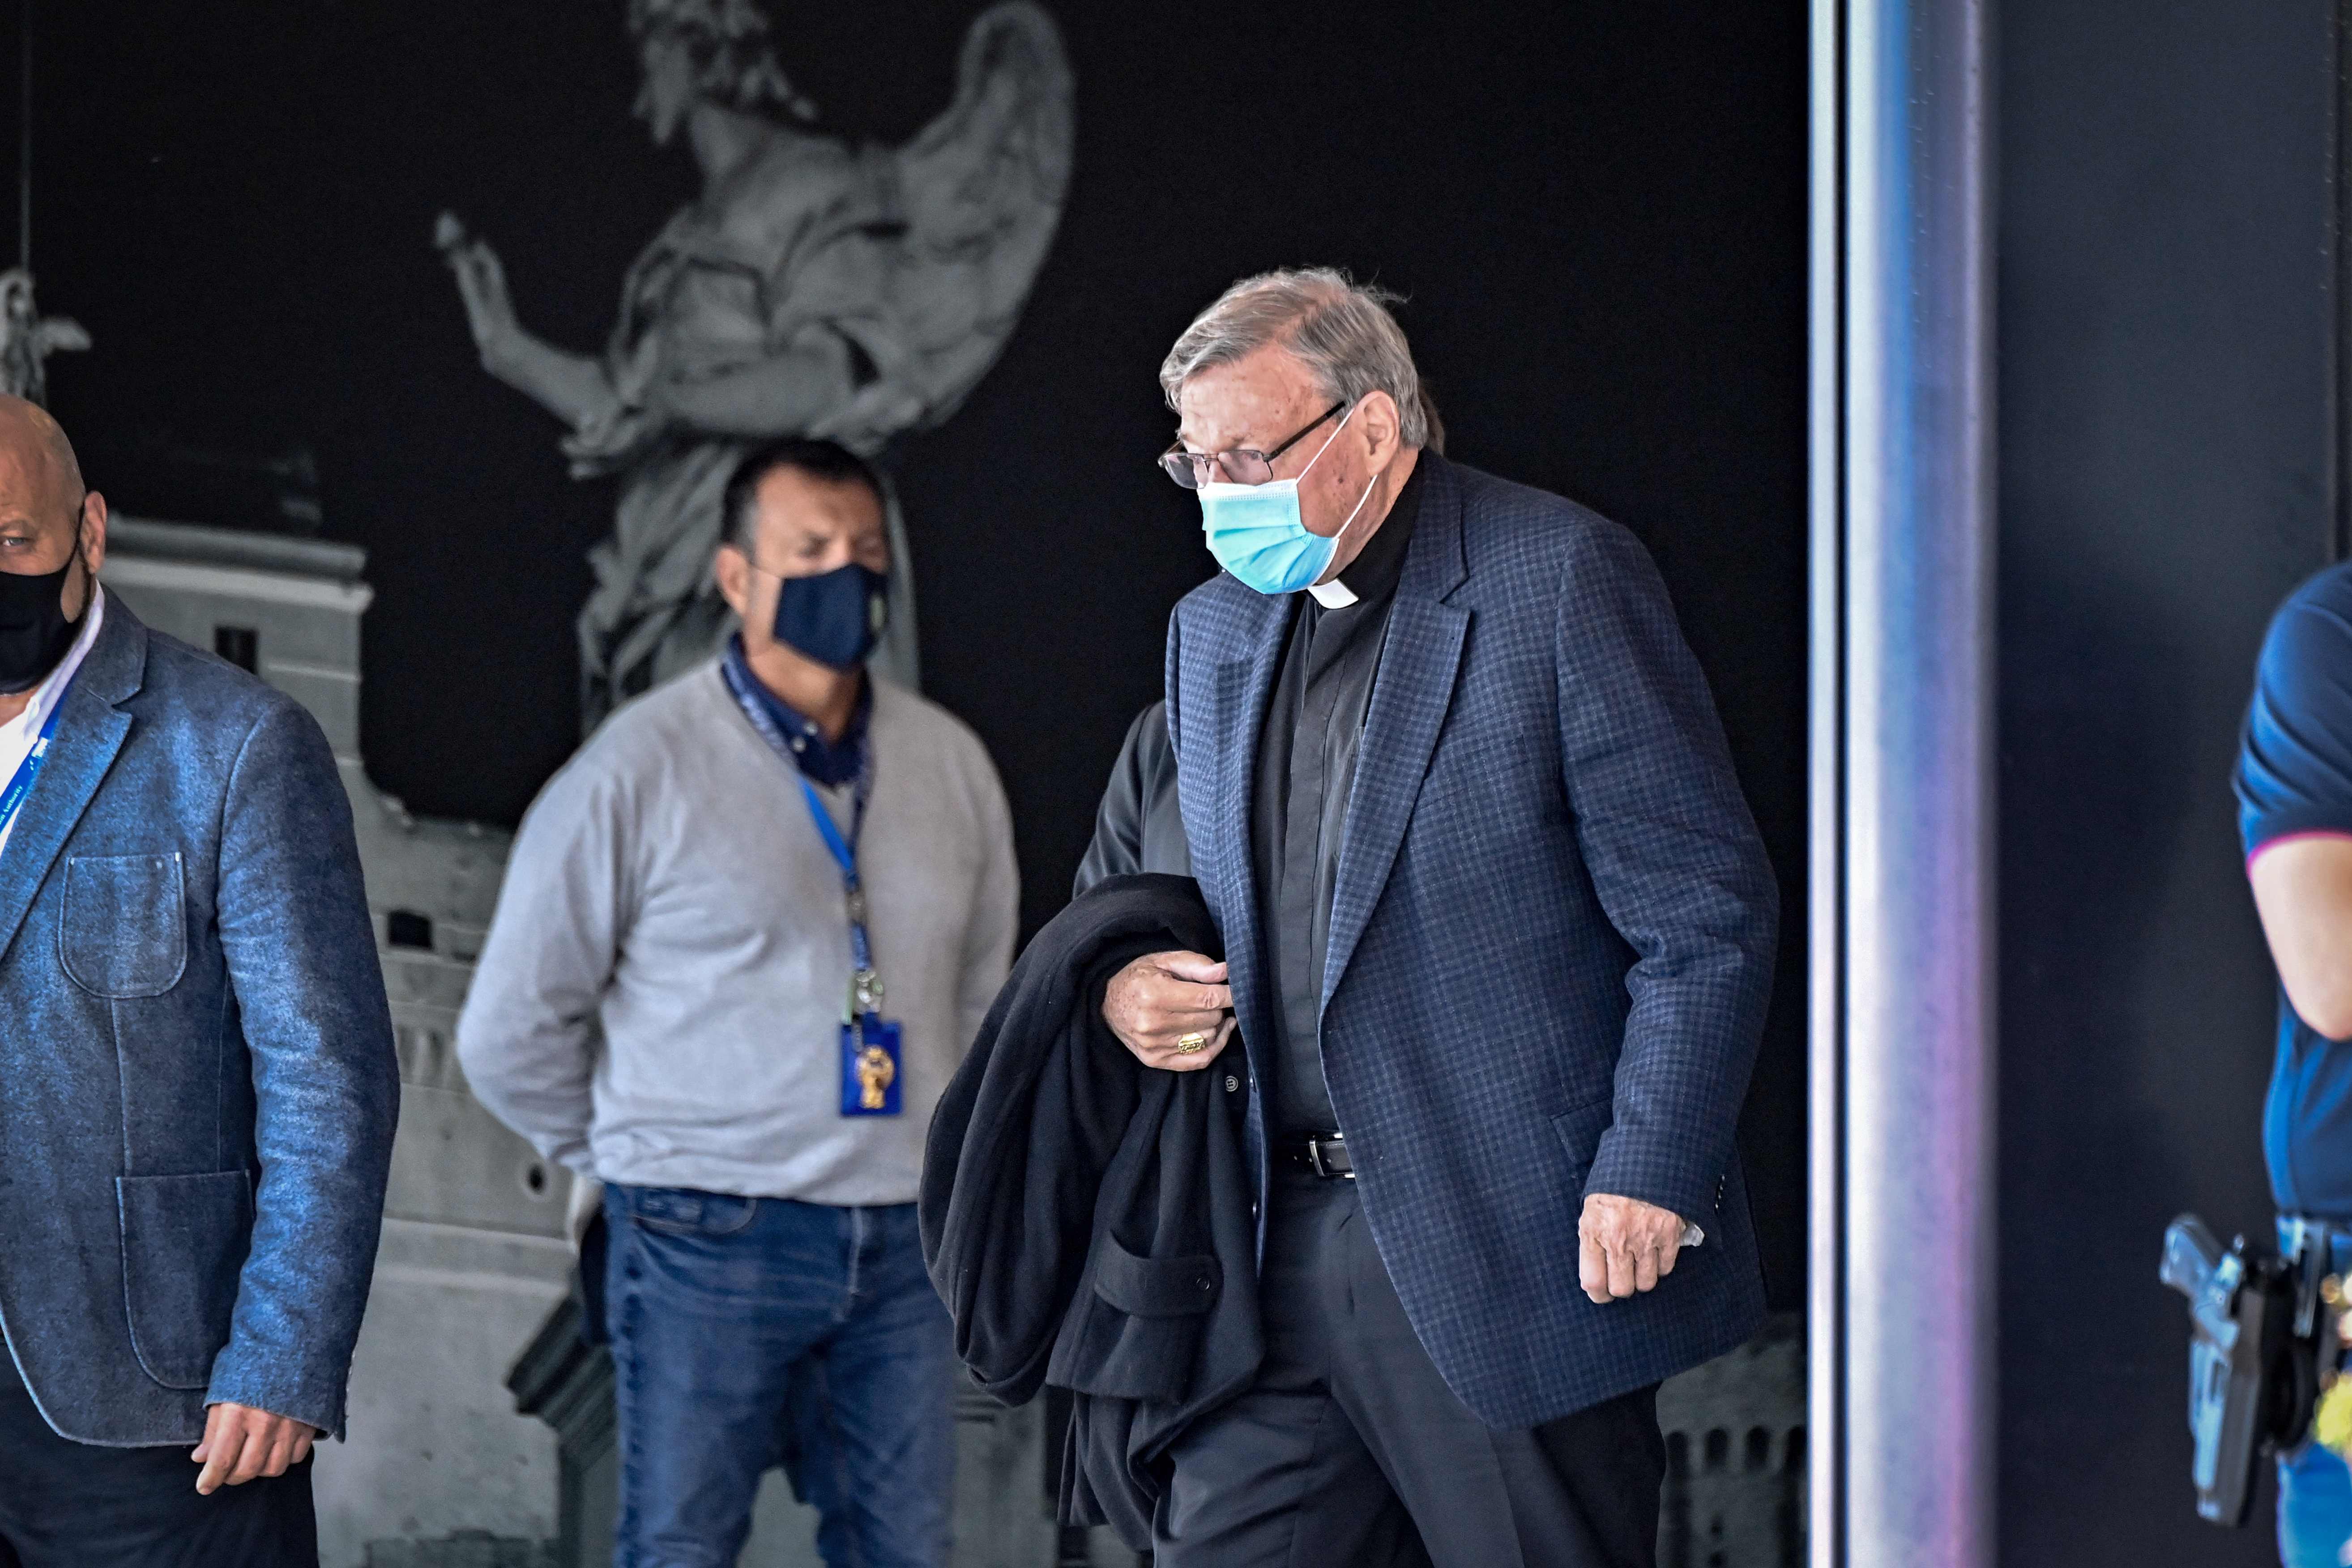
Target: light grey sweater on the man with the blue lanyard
[{"x": 662, "y": 989}]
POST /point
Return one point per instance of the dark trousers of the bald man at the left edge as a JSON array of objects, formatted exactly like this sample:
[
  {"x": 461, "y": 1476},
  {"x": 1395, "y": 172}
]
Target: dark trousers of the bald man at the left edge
[{"x": 79, "y": 1506}]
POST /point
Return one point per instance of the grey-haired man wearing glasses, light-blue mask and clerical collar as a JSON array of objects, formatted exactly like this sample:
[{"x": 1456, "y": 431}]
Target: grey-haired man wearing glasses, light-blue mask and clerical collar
[{"x": 1497, "y": 937}]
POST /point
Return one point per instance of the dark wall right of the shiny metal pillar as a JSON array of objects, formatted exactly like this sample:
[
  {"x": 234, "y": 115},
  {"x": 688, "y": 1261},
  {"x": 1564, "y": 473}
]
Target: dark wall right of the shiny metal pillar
[{"x": 2167, "y": 476}]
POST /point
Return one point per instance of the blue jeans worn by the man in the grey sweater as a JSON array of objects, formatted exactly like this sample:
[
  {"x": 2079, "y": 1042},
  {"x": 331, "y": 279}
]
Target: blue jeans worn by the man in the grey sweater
[{"x": 749, "y": 1332}]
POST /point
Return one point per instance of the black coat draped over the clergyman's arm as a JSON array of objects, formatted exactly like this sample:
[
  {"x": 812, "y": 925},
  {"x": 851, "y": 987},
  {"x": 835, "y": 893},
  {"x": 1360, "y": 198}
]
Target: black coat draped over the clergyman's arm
[{"x": 1088, "y": 1219}]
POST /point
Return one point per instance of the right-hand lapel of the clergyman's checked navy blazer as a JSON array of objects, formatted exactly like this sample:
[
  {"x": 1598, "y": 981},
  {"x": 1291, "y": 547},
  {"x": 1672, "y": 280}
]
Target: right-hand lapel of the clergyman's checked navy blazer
[{"x": 1410, "y": 697}]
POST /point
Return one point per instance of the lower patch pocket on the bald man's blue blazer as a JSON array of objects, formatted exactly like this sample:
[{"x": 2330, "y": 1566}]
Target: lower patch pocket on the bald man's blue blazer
[{"x": 185, "y": 1242}]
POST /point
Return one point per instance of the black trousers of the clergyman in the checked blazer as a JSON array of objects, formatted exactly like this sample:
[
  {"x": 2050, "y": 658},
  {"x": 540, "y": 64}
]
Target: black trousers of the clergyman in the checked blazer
[{"x": 1354, "y": 1454}]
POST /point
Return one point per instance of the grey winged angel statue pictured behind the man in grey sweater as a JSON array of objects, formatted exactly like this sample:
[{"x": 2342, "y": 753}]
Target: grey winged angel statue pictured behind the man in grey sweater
[{"x": 815, "y": 288}]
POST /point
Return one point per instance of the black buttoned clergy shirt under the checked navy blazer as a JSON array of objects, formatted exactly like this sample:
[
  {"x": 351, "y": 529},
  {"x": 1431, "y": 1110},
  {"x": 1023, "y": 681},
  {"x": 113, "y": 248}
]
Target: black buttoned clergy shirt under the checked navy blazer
[{"x": 1299, "y": 803}]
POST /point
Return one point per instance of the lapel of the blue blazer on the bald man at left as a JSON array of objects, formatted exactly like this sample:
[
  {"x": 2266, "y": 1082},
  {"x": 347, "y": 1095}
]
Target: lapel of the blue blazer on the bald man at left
[{"x": 88, "y": 735}]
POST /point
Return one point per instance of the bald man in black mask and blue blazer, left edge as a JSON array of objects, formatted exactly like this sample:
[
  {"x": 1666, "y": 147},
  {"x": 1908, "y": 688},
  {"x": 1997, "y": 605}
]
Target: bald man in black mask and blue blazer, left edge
[{"x": 199, "y": 1071}]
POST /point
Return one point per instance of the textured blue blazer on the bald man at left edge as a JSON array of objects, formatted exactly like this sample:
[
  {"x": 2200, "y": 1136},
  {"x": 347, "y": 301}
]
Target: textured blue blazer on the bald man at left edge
[{"x": 196, "y": 1057}]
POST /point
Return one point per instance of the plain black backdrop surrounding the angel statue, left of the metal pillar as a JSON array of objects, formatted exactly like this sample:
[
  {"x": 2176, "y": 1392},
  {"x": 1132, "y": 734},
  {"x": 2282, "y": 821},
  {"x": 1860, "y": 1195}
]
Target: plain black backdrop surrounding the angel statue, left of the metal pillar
[{"x": 1596, "y": 210}]
